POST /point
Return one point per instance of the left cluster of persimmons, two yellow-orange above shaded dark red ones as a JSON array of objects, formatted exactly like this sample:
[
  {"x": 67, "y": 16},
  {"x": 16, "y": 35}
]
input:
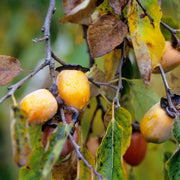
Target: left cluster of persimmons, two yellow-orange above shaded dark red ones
[{"x": 41, "y": 106}]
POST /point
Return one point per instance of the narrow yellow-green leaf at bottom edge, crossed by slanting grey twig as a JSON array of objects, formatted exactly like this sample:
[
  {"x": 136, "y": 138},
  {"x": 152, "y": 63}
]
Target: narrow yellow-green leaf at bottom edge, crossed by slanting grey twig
[{"x": 85, "y": 172}]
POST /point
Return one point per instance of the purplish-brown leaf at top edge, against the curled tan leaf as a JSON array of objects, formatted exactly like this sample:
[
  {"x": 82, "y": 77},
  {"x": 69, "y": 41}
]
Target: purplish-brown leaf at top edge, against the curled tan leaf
[{"x": 68, "y": 5}]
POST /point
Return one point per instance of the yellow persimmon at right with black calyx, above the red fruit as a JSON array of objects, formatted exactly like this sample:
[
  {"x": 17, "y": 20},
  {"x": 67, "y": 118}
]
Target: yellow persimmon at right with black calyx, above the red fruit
[{"x": 156, "y": 126}]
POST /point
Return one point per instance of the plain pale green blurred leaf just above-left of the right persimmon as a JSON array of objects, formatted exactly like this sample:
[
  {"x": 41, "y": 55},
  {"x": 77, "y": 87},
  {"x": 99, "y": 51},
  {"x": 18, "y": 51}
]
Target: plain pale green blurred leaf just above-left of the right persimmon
[{"x": 142, "y": 98}]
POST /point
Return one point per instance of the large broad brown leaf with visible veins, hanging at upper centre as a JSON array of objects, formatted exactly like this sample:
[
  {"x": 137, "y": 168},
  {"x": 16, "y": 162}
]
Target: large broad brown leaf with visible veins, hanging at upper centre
[{"x": 105, "y": 34}]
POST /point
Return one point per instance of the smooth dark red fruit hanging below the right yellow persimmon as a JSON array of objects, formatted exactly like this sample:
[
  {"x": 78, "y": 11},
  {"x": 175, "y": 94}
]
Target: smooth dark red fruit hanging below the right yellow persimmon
[{"x": 137, "y": 149}]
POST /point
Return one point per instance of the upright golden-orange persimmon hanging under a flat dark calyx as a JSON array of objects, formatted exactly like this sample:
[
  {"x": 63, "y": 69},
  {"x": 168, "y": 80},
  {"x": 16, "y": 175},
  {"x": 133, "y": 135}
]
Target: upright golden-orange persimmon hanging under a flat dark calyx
[{"x": 73, "y": 87}]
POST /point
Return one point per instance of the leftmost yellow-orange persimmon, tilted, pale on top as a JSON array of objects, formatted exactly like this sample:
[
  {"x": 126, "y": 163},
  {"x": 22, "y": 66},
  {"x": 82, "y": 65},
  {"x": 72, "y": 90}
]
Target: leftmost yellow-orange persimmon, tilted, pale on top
[{"x": 40, "y": 106}]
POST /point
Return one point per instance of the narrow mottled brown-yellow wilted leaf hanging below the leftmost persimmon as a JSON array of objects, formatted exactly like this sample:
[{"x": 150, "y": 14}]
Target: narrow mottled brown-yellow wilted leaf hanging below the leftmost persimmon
[{"x": 20, "y": 136}]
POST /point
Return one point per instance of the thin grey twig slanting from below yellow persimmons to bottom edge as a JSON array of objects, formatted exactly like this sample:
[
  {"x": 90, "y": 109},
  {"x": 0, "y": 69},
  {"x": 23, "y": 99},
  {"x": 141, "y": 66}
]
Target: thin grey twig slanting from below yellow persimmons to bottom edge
[{"x": 78, "y": 149}]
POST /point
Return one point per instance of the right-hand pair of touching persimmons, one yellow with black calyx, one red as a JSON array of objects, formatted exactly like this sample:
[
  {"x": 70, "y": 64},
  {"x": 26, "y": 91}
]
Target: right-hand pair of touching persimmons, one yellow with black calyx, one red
[{"x": 155, "y": 127}]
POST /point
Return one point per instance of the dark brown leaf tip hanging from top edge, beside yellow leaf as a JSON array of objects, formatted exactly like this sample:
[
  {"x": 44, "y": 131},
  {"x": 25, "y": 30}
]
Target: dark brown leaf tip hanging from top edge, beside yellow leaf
[{"x": 118, "y": 5}]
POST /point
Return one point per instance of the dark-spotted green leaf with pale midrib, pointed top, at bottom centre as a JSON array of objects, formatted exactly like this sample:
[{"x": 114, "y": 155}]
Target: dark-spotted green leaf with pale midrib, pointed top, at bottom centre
[{"x": 109, "y": 156}]
